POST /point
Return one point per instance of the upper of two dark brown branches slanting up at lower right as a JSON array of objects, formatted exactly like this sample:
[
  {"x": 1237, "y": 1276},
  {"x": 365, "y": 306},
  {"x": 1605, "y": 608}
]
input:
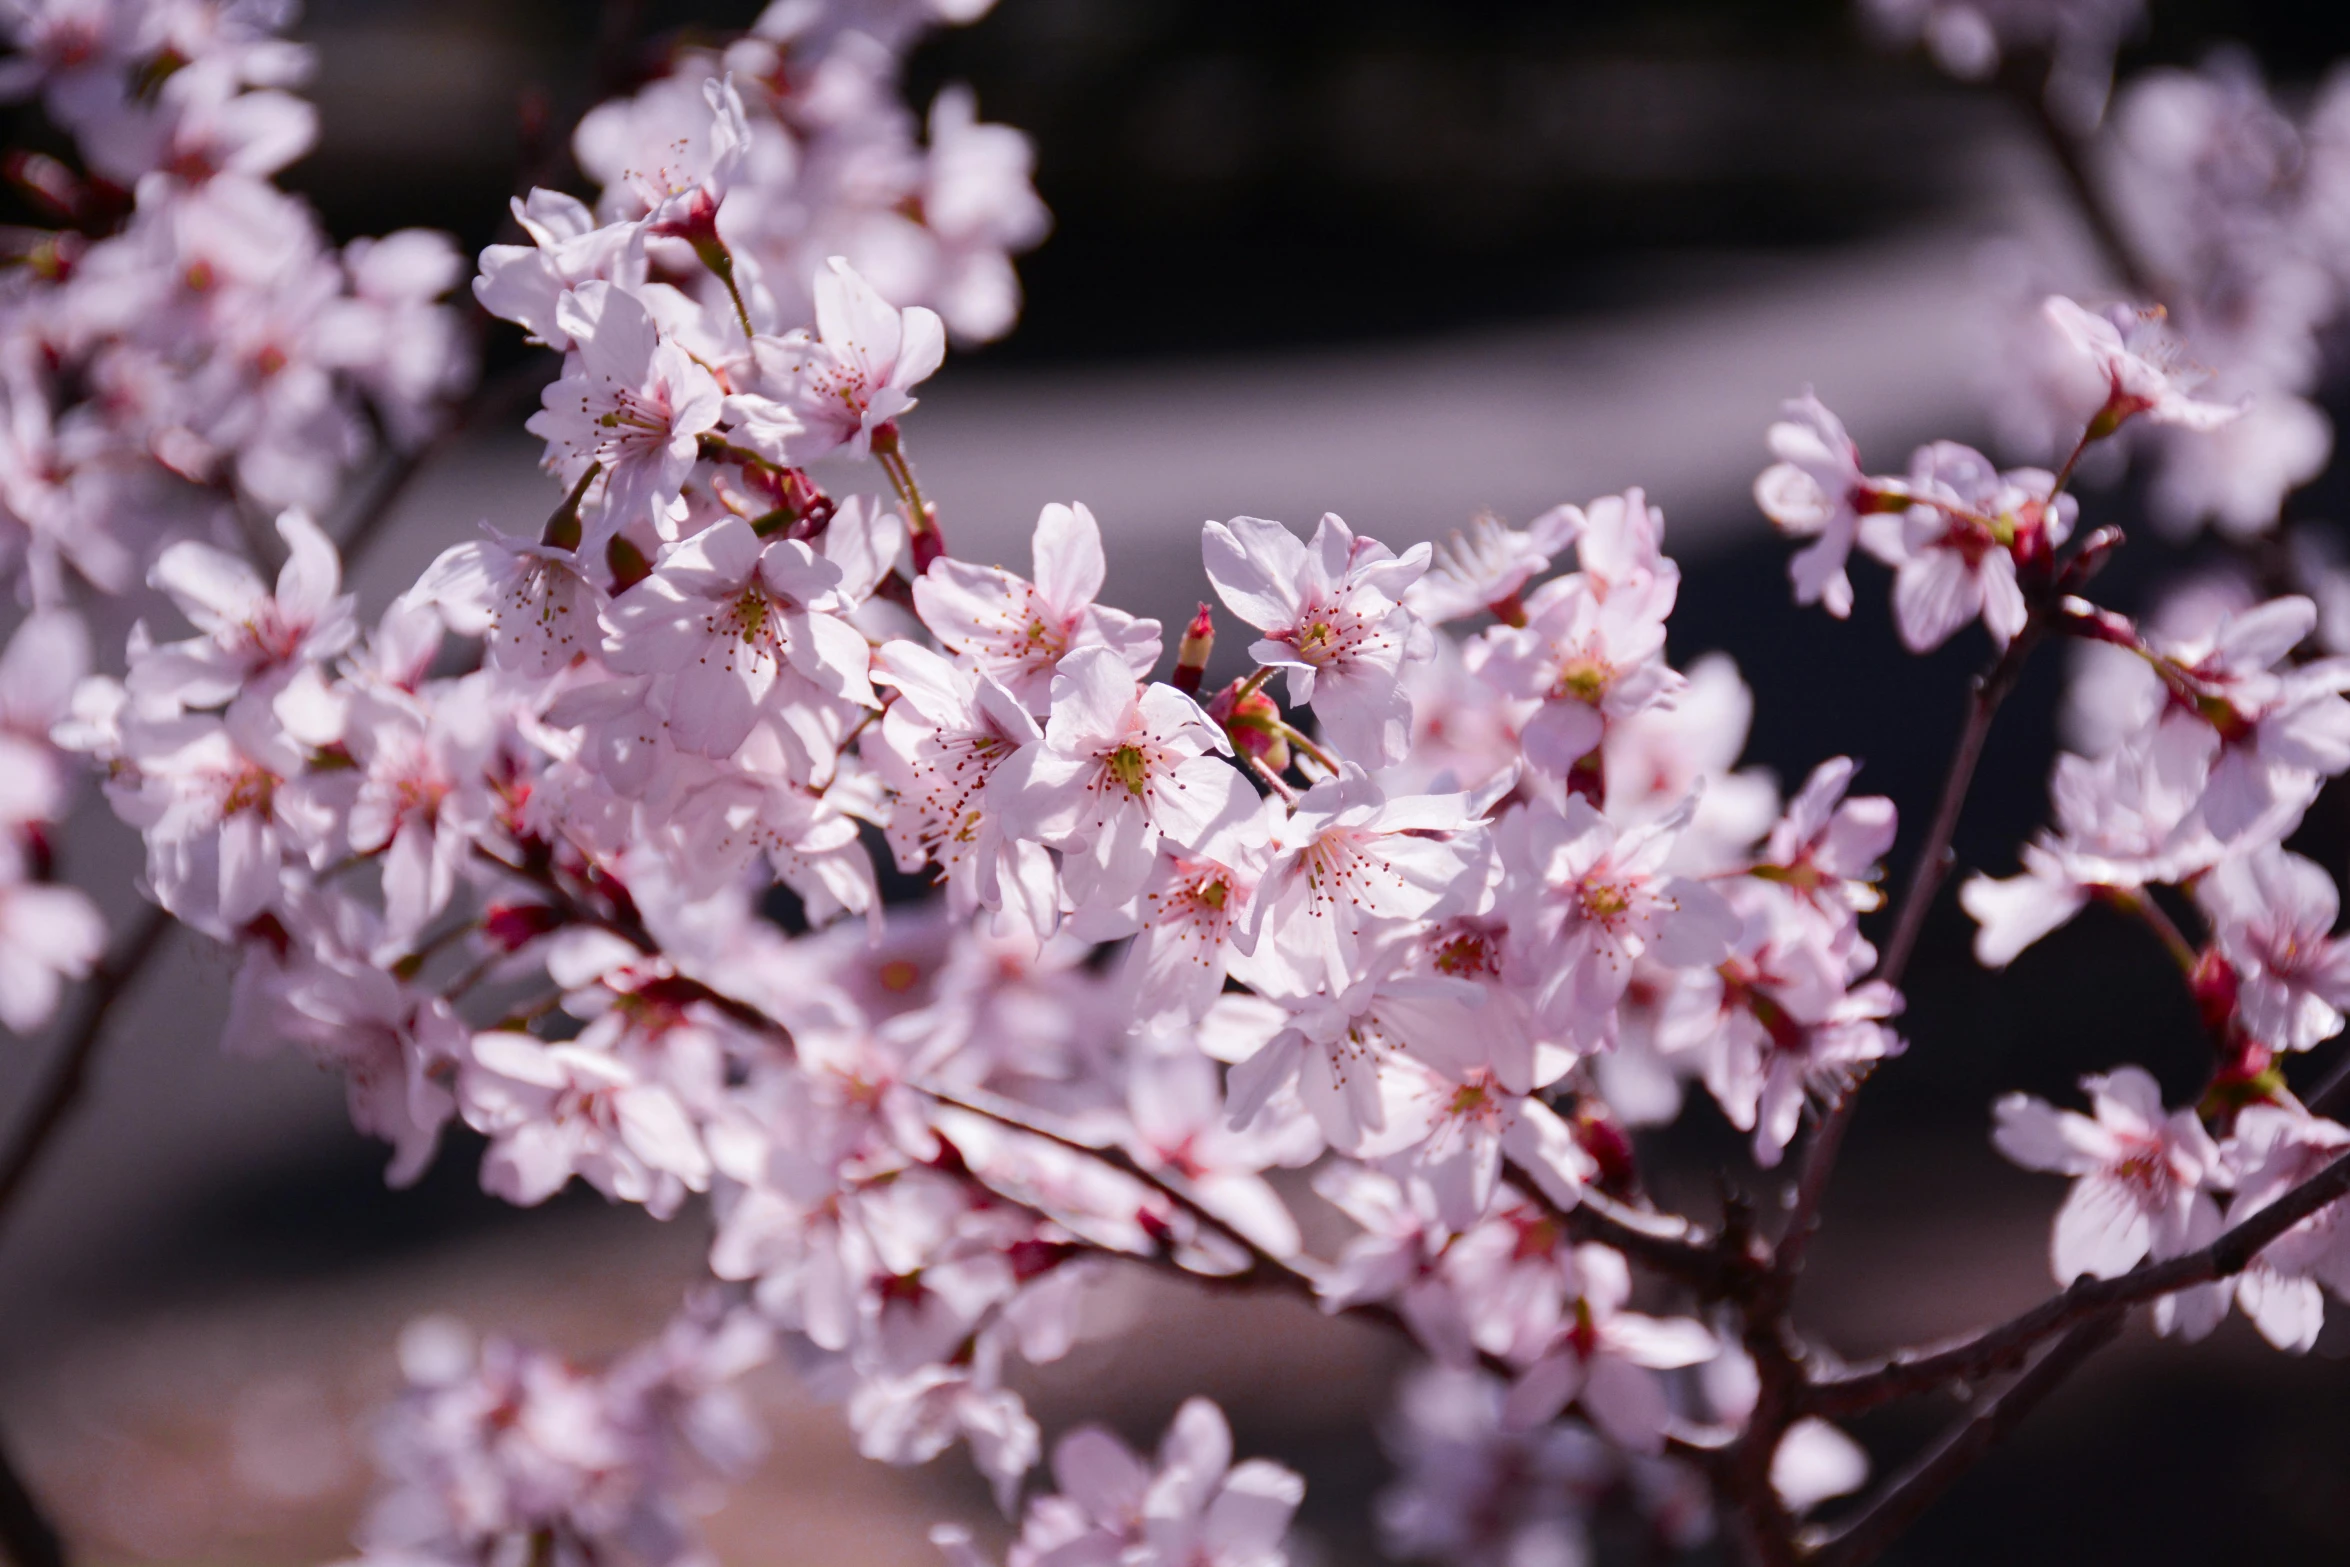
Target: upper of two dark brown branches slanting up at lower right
[{"x": 2003, "y": 1347}]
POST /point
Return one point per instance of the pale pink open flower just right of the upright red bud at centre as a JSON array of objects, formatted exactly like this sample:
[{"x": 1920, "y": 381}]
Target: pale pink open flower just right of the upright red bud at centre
[{"x": 1334, "y": 619}]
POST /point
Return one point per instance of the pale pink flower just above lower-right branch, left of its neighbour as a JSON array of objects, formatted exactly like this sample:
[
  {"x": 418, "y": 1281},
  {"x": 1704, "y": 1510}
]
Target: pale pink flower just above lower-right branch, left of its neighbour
[{"x": 2140, "y": 1171}]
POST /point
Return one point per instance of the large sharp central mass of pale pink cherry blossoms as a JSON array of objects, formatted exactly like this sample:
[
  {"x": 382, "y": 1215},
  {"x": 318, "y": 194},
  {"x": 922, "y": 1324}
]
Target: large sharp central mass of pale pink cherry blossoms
[{"x": 1411, "y": 913}]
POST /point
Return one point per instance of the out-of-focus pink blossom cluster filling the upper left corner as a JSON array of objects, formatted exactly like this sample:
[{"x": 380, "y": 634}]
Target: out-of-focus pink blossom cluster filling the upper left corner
[{"x": 187, "y": 349}]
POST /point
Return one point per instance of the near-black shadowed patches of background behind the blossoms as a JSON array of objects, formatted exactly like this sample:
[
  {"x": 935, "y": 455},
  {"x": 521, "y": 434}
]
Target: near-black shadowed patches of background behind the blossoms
[{"x": 1247, "y": 177}]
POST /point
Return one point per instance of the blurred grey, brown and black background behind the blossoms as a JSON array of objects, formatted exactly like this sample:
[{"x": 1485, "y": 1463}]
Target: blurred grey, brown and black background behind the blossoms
[{"x": 1390, "y": 260}]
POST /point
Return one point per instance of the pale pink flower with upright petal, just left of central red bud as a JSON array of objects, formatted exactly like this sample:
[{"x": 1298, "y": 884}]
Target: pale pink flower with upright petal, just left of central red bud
[{"x": 1019, "y": 631}]
